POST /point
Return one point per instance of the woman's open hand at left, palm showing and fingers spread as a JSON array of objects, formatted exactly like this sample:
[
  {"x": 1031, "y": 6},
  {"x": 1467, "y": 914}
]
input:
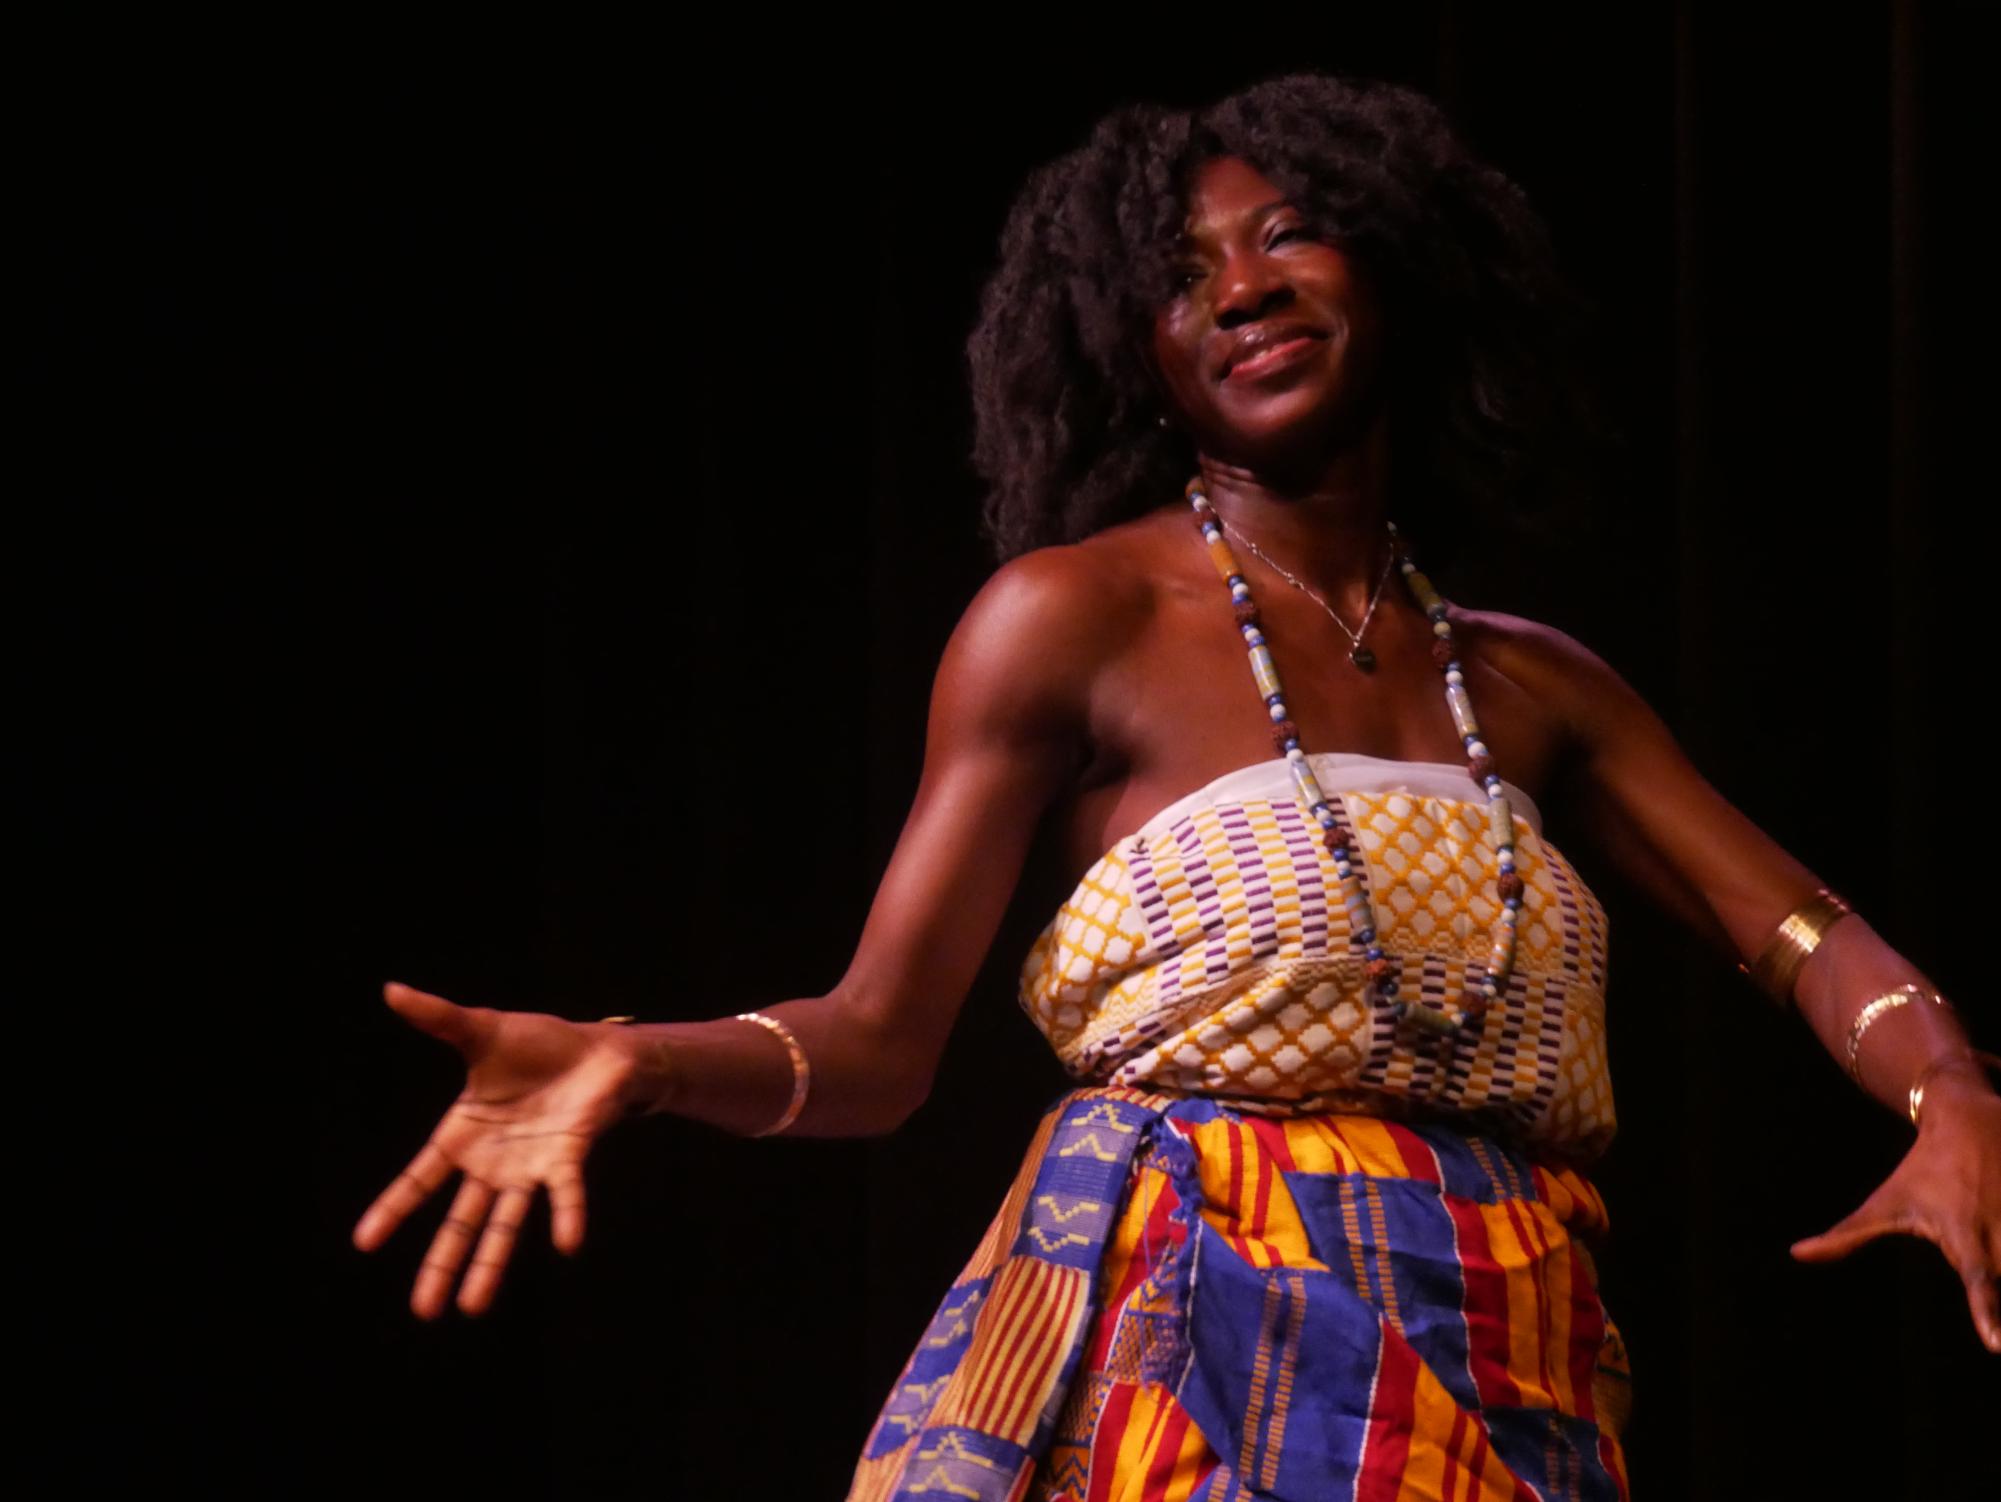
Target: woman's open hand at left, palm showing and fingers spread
[{"x": 539, "y": 1093}]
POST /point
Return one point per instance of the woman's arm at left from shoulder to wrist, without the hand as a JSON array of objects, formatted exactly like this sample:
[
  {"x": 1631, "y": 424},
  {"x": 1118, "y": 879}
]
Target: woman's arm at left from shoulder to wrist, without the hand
[{"x": 1006, "y": 735}]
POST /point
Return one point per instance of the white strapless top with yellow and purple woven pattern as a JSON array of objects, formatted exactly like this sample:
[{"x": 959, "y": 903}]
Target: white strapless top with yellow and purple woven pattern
[{"x": 1208, "y": 953}]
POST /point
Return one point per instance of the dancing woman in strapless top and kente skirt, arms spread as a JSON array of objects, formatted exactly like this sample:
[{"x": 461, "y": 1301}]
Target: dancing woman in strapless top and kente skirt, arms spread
[{"x": 1318, "y": 1219}]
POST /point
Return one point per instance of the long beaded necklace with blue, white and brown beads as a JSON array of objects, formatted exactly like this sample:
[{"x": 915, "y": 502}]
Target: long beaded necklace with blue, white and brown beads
[{"x": 1380, "y": 967}]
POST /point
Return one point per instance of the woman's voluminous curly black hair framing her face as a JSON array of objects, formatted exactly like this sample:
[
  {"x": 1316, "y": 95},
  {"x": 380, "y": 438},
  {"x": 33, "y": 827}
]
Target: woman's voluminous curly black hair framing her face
[{"x": 1490, "y": 395}]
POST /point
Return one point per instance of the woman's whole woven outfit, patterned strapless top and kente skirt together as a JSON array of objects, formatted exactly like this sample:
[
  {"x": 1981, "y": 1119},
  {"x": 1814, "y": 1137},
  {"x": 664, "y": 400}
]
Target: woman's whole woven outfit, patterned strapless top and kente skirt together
[{"x": 1274, "y": 1247}]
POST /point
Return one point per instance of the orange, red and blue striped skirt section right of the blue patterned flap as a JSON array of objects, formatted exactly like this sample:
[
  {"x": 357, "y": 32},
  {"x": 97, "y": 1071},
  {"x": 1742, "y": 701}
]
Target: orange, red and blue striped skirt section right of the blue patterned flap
[{"x": 1486, "y": 1367}]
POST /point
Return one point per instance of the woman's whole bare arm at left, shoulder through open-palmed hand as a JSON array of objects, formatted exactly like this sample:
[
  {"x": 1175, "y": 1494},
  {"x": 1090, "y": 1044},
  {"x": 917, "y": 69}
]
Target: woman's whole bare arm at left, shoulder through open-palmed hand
[{"x": 1008, "y": 733}]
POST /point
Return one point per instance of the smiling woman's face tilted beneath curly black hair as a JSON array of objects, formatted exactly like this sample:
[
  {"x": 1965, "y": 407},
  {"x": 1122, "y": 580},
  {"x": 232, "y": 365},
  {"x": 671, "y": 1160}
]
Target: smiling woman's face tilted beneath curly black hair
[{"x": 1270, "y": 345}]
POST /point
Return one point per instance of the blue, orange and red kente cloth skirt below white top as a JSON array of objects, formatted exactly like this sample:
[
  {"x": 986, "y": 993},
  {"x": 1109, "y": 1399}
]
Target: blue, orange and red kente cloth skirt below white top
[{"x": 1184, "y": 1303}]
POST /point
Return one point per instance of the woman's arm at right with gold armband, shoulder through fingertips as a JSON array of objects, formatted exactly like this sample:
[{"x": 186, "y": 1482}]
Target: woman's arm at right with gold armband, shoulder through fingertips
[{"x": 1698, "y": 857}]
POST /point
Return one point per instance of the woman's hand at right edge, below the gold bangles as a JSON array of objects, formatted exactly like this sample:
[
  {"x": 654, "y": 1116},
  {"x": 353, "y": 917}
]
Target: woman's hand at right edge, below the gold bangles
[{"x": 1948, "y": 1189}]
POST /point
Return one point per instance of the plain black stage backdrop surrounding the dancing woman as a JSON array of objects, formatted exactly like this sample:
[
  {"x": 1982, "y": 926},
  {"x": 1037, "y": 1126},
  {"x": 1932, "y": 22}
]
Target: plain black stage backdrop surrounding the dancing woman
[{"x": 491, "y": 523}]
